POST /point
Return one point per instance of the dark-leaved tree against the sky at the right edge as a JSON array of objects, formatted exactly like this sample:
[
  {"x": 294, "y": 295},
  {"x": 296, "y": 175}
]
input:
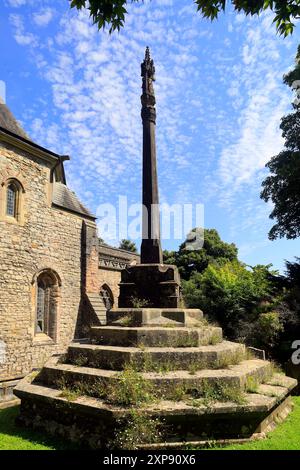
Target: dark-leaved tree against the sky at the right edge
[{"x": 282, "y": 187}]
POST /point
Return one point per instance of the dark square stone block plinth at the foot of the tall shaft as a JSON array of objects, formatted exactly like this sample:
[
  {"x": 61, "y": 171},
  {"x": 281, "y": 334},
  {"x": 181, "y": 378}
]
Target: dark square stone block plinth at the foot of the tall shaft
[{"x": 156, "y": 284}]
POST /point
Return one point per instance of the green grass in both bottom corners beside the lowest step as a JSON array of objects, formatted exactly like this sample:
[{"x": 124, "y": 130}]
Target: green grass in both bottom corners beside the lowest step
[{"x": 285, "y": 437}]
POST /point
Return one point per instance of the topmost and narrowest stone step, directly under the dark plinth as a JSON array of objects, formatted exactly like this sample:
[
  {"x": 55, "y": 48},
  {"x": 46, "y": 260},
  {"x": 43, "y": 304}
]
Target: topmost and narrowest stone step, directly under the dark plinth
[{"x": 155, "y": 317}]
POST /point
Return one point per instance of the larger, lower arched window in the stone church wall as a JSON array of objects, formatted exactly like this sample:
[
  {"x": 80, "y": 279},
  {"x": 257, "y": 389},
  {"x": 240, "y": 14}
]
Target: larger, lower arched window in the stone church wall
[{"x": 47, "y": 304}]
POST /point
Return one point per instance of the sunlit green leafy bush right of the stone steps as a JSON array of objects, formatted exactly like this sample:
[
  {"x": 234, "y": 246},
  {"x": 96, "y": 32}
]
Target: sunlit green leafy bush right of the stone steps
[{"x": 239, "y": 298}]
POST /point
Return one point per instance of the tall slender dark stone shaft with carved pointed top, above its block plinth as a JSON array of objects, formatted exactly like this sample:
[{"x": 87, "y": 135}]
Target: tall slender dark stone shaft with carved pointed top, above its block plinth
[{"x": 151, "y": 247}]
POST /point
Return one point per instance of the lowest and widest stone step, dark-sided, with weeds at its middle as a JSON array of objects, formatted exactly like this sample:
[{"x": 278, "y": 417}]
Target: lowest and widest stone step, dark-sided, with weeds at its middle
[{"x": 94, "y": 423}]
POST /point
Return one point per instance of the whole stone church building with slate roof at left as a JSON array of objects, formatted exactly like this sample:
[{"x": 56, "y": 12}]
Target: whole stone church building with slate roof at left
[{"x": 56, "y": 278}]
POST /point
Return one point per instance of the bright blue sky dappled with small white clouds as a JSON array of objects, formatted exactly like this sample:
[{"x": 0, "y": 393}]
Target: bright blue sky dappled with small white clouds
[{"x": 219, "y": 94}]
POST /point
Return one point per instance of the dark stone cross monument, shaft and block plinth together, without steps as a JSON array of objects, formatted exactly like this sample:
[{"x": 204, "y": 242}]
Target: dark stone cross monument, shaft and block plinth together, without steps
[{"x": 150, "y": 284}]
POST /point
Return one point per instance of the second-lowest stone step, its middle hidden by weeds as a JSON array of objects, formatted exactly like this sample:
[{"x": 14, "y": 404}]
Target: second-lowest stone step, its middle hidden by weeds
[{"x": 92, "y": 381}]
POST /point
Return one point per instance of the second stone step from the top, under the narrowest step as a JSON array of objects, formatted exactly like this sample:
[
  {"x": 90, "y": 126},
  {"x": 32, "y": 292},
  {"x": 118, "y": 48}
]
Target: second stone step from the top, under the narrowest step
[{"x": 155, "y": 336}]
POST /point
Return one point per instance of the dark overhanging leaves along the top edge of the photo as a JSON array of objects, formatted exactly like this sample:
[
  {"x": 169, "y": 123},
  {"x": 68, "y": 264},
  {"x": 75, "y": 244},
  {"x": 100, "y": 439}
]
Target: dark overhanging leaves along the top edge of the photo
[{"x": 112, "y": 12}]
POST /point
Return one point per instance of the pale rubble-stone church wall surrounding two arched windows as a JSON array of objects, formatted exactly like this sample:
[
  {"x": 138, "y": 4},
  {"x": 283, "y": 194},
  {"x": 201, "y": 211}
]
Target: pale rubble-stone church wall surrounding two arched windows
[{"x": 49, "y": 238}]
